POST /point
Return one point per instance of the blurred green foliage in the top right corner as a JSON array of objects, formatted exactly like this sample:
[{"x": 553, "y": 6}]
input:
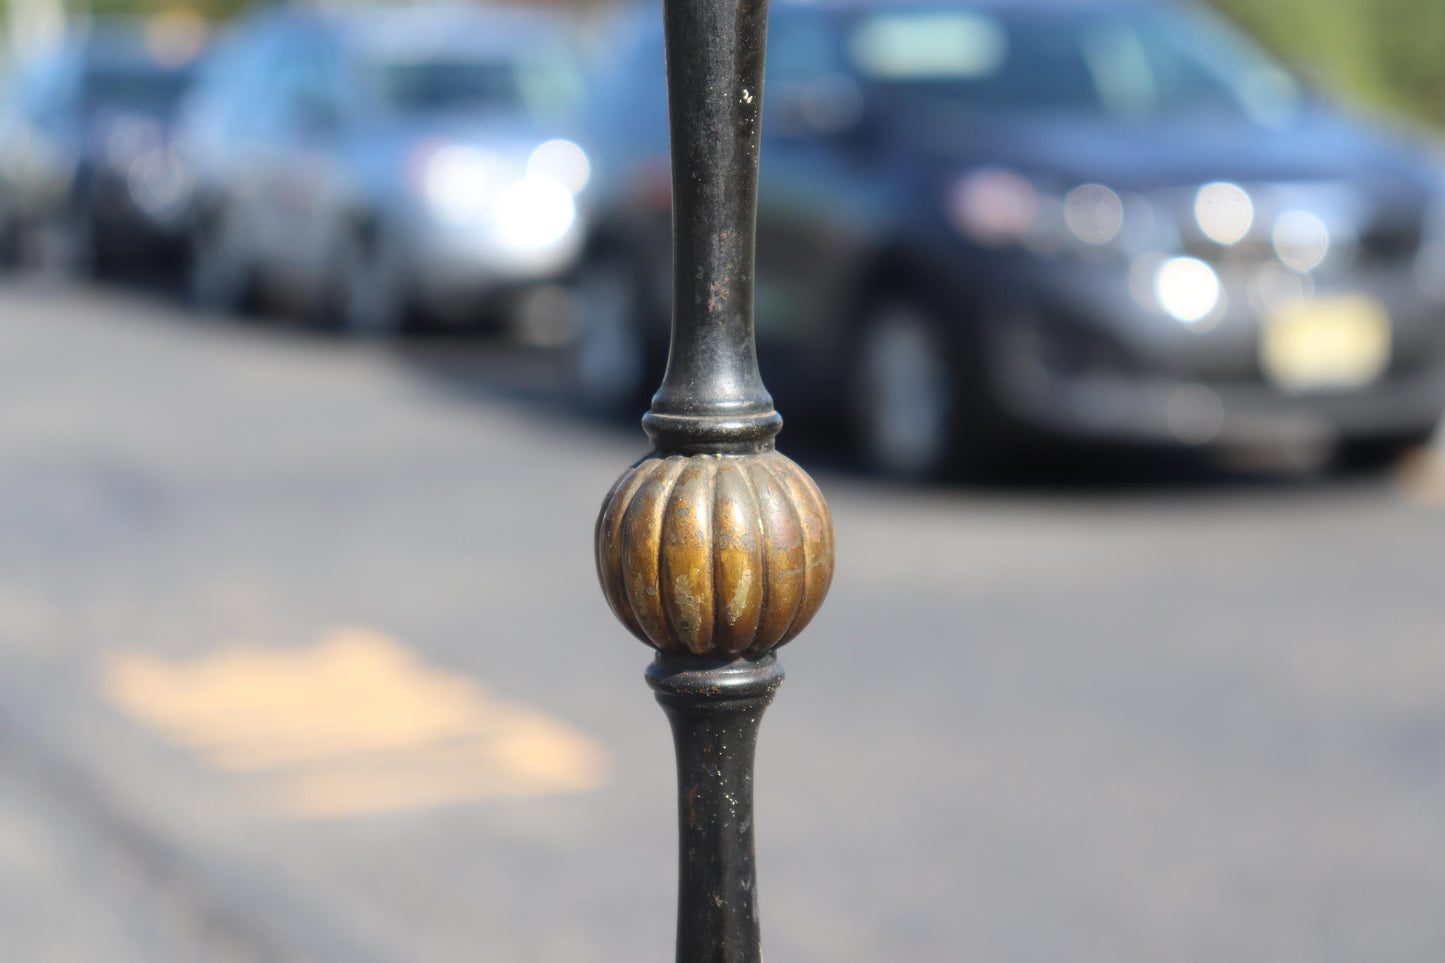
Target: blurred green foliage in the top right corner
[{"x": 1384, "y": 53}]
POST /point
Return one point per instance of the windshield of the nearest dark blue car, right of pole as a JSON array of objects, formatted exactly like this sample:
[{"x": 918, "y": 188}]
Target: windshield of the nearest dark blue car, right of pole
[{"x": 1123, "y": 61}]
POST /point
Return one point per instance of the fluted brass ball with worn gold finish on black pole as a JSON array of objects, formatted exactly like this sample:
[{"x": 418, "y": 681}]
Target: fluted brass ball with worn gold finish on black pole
[{"x": 717, "y": 555}]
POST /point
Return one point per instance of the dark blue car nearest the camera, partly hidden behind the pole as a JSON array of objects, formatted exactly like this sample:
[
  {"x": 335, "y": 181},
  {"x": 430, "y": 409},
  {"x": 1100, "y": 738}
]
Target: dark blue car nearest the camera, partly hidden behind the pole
[{"x": 988, "y": 223}]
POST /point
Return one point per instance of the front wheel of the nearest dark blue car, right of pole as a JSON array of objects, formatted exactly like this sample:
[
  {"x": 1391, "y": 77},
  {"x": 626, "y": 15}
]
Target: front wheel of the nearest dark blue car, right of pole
[{"x": 904, "y": 393}]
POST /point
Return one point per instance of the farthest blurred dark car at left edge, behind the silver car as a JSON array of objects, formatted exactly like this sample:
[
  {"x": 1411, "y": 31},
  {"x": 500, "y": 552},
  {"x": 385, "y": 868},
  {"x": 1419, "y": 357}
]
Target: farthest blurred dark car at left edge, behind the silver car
[{"x": 87, "y": 171}]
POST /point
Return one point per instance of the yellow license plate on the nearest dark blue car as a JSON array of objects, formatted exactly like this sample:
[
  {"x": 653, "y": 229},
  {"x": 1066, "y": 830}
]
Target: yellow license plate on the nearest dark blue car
[{"x": 1326, "y": 343}]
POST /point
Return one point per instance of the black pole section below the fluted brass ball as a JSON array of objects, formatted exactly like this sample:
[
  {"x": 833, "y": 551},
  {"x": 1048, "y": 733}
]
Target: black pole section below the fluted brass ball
[{"x": 716, "y": 709}]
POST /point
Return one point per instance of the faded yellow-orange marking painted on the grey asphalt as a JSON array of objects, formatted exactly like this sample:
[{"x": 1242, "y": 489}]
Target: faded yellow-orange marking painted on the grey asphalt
[{"x": 356, "y": 724}]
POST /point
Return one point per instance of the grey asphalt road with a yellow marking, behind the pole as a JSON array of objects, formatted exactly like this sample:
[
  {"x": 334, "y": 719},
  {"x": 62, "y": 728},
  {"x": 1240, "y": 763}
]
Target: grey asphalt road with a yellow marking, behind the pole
[{"x": 303, "y": 659}]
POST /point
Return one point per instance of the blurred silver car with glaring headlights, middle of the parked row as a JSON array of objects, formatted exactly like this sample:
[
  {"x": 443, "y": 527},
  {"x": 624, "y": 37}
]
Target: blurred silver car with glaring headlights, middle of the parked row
[{"x": 385, "y": 160}]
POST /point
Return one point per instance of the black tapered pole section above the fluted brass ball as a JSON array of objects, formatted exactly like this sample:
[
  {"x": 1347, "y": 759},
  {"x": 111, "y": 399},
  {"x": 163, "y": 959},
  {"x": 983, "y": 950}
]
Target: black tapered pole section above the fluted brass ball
[{"x": 712, "y": 397}]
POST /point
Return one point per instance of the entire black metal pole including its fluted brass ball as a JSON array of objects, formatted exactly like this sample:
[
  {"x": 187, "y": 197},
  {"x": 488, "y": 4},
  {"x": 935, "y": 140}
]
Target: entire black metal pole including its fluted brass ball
[{"x": 715, "y": 549}]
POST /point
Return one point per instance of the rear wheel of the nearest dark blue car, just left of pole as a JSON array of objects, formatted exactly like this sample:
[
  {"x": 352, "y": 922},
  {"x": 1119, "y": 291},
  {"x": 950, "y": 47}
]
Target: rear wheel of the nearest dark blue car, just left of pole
[{"x": 608, "y": 361}]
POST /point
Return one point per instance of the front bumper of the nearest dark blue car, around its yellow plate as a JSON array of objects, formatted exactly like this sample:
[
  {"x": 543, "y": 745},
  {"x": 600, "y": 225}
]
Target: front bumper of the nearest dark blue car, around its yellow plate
[{"x": 1092, "y": 361}]
